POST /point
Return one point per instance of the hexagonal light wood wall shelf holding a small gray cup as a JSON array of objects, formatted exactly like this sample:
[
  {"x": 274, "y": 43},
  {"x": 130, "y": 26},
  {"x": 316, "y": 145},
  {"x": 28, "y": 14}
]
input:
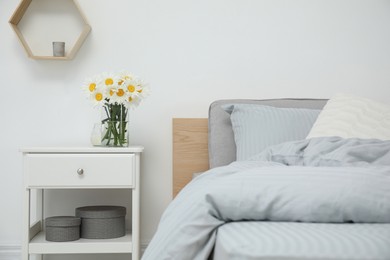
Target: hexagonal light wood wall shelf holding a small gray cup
[{"x": 40, "y": 23}]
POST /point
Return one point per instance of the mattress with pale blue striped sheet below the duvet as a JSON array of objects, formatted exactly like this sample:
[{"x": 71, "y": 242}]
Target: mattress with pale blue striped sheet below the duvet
[{"x": 293, "y": 241}]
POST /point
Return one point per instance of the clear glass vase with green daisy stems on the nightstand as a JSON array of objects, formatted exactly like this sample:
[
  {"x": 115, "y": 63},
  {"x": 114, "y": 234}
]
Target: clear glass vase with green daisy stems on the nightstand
[{"x": 114, "y": 126}]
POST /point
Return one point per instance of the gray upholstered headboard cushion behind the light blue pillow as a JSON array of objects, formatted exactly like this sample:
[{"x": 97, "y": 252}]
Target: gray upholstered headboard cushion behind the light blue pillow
[{"x": 221, "y": 145}]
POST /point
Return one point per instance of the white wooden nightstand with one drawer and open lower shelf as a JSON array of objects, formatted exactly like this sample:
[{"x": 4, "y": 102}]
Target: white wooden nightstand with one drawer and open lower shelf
[{"x": 79, "y": 168}]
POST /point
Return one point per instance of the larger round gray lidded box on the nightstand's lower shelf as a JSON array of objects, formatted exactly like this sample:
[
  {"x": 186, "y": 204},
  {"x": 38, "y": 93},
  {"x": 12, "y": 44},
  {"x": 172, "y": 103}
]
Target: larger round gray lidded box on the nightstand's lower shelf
[{"x": 101, "y": 222}]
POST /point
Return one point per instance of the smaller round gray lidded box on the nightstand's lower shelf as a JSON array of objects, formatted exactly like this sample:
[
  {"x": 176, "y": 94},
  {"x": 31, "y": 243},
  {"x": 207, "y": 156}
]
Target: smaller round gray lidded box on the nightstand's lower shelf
[{"x": 62, "y": 228}]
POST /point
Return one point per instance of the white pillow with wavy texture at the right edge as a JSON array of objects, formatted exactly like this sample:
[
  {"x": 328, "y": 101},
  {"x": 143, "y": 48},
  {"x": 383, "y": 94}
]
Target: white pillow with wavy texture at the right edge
[{"x": 349, "y": 116}]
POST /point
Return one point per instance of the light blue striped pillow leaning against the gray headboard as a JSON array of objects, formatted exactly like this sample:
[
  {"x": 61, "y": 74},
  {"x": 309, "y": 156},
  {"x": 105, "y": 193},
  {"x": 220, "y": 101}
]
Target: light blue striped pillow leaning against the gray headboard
[{"x": 256, "y": 127}]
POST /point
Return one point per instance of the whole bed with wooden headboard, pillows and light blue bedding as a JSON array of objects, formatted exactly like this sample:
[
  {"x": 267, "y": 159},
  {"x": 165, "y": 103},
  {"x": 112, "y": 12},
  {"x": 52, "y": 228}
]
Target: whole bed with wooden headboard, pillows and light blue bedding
[{"x": 314, "y": 185}]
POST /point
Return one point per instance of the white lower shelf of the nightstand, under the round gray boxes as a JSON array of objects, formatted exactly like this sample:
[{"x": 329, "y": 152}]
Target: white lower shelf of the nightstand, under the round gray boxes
[{"x": 39, "y": 245}]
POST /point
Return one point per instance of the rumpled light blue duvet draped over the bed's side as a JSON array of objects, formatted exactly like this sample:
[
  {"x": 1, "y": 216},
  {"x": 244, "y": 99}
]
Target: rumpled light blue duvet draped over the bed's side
[{"x": 319, "y": 180}]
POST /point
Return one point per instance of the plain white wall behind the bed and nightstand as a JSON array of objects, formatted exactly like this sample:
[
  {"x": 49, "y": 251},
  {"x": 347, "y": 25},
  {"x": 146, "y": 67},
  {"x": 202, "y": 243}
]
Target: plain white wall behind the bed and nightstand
[{"x": 191, "y": 52}]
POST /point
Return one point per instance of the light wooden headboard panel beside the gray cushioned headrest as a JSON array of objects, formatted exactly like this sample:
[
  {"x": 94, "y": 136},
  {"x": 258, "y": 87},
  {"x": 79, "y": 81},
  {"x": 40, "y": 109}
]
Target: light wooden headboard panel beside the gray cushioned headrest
[{"x": 190, "y": 150}]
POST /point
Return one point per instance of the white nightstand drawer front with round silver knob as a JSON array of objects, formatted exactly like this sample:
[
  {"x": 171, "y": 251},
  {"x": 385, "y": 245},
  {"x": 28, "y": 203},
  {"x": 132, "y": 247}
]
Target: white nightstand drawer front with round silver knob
[{"x": 79, "y": 170}]
